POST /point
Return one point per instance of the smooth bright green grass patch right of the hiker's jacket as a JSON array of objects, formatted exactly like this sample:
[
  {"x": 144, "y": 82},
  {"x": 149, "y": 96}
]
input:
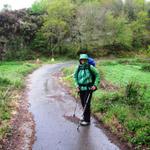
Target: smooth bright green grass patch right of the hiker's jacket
[{"x": 121, "y": 74}]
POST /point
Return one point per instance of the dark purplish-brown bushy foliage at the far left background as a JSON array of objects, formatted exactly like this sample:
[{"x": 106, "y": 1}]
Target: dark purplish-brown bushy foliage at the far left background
[{"x": 17, "y": 30}]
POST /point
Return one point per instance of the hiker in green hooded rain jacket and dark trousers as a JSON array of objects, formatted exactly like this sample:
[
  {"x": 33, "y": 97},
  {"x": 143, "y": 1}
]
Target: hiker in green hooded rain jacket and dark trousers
[{"x": 86, "y": 80}]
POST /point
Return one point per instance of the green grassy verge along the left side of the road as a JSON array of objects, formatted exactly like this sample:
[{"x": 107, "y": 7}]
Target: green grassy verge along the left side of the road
[{"x": 12, "y": 75}]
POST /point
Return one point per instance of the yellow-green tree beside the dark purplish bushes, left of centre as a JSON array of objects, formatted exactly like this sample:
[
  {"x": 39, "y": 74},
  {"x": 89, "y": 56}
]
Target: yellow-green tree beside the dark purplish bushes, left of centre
[{"x": 57, "y": 23}]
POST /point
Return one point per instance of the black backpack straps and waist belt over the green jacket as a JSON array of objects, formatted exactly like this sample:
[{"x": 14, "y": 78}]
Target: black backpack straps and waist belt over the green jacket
[{"x": 92, "y": 74}]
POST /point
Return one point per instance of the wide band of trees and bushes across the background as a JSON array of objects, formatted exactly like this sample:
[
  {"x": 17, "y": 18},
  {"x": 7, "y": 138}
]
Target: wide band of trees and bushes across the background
[{"x": 62, "y": 27}]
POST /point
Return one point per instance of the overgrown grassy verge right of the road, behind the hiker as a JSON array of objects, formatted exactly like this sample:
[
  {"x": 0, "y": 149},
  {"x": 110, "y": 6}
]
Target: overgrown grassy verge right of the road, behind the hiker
[{"x": 125, "y": 110}]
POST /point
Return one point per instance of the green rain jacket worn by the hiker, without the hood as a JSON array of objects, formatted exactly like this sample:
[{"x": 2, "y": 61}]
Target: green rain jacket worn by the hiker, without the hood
[{"x": 84, "y": 77}]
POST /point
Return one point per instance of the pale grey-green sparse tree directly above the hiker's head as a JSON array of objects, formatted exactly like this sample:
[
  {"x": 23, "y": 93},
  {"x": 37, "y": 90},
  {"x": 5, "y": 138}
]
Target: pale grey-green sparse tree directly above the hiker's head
[{"x": 89, "y": 25}]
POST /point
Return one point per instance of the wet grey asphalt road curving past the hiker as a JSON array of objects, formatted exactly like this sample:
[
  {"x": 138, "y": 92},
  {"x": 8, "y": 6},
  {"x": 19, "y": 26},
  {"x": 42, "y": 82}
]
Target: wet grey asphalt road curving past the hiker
[{"x": 50, "y": 103}]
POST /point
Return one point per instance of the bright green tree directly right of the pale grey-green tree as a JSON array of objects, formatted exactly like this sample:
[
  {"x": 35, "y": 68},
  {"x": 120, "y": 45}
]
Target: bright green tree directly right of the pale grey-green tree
[{"x": 117, "y": 31}]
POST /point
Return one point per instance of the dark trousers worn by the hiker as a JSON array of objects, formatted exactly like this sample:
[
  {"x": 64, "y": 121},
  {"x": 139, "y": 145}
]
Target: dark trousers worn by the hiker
[{"x": 83, "y": 96}]
